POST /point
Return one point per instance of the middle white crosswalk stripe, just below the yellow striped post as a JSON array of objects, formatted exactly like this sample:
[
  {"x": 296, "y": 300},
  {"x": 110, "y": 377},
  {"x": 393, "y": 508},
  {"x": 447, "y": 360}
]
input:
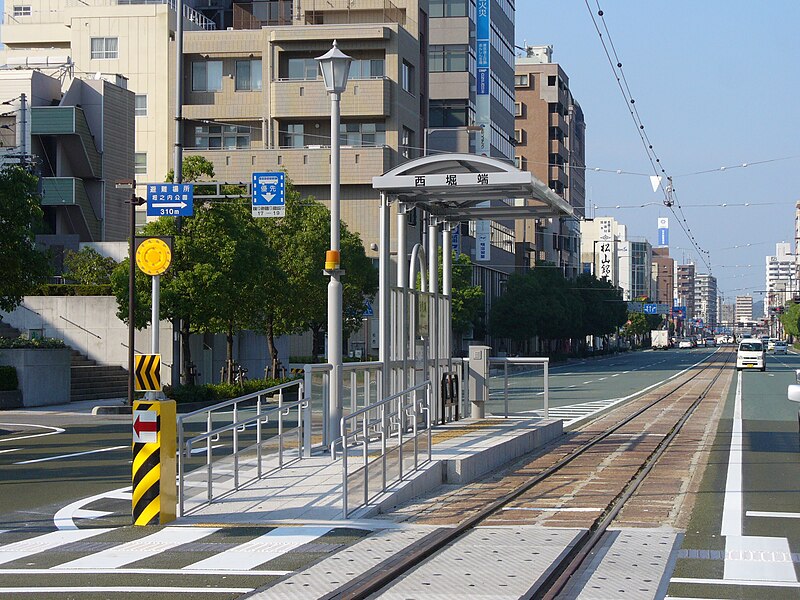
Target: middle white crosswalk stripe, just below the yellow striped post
[{"x": 146, "y": 547}]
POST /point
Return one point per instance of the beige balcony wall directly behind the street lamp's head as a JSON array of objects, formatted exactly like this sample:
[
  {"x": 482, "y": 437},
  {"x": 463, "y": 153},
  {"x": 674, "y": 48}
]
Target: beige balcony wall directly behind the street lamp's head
[{"x": 299, "y": 99}]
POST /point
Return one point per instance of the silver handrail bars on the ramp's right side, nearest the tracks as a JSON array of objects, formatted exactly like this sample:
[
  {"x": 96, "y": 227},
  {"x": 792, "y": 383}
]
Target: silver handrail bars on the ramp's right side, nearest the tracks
[{"x": 382, "y": 421}]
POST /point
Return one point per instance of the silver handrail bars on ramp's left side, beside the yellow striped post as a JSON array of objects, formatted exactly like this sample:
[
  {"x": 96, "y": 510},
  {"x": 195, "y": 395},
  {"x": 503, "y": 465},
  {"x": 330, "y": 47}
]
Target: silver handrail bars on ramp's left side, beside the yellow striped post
[{"x": 263, "y": 416}]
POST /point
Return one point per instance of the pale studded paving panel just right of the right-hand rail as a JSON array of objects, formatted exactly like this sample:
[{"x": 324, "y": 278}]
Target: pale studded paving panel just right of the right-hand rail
[{"x": 631, "y": 563}]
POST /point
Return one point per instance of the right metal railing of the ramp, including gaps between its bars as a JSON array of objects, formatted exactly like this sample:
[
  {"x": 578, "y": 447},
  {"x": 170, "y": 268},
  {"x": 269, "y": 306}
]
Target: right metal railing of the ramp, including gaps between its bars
[{"x": 394, "y": 436}]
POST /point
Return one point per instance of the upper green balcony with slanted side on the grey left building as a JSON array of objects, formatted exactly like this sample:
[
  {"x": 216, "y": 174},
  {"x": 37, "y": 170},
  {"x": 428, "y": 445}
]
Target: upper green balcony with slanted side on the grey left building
[{"x": 69, "y": 125}]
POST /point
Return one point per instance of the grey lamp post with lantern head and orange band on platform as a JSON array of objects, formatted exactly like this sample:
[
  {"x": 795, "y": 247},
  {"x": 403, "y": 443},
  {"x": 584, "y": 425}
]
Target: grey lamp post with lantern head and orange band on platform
[{"x": 335, "y": 67}]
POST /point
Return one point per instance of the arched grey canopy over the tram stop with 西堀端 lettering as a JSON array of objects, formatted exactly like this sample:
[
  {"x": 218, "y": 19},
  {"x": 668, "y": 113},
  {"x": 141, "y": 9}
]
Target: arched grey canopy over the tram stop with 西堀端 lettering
[{"x": 454, "y": 187}]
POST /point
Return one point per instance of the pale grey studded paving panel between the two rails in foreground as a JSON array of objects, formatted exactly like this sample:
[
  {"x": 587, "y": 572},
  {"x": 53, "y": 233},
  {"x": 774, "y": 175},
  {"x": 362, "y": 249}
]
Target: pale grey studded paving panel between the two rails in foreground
[{"x": 489, "y": 562}]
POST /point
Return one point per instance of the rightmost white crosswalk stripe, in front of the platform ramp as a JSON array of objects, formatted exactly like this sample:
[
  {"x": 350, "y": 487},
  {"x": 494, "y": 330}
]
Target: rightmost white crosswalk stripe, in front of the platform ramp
[{"x": 260, "y": 550}]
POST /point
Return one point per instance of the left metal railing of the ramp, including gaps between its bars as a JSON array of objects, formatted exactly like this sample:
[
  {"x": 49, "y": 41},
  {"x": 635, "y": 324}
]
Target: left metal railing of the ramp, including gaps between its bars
[{"x": 230, "y": 444}]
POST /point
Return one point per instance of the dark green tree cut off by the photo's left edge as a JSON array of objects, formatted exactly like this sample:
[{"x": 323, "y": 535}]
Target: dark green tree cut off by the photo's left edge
[{"x": 23, "y": 265}]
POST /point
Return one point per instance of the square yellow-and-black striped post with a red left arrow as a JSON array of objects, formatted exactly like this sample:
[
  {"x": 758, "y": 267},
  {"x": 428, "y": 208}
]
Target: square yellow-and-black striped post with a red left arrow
[{"x": 154, "y": 469}]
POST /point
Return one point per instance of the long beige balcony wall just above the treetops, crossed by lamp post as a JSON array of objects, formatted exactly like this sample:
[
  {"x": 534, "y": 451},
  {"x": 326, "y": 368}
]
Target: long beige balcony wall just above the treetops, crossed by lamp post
[{"x": 305, "y": 166}]
